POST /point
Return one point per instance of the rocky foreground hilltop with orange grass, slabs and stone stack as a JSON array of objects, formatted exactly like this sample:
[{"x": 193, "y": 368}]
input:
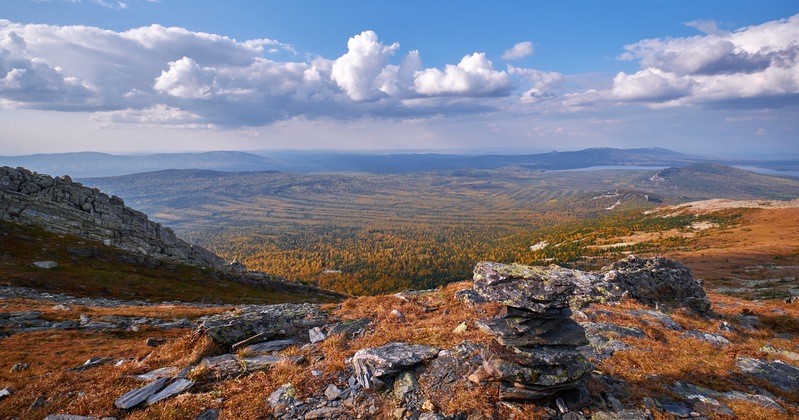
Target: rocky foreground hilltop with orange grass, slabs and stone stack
[{"x": 637, "y": 340}]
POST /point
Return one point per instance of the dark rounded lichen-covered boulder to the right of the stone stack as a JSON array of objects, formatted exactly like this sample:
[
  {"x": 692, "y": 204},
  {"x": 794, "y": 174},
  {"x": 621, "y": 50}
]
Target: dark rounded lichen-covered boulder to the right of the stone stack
[{"x": 657, "y": 281}]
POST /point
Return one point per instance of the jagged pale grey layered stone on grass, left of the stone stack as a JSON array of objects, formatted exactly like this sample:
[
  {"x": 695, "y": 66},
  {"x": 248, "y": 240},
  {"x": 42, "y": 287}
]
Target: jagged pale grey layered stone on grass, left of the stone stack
[{"x": 373, "y": 365}]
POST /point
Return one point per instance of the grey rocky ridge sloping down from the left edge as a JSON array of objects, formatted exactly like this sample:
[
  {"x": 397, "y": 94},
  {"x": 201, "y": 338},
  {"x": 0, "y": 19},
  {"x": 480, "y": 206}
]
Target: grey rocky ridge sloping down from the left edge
[{"x": 62, "y": 206}]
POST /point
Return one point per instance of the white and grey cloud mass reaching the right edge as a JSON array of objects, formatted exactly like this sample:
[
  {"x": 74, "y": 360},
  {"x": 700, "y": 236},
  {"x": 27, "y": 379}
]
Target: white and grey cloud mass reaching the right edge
[{"x": 755, "y": 65}]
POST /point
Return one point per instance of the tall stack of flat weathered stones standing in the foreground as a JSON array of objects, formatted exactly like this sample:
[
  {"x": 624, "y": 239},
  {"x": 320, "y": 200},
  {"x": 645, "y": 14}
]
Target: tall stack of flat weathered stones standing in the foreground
[{"x": 534, "y": 353}]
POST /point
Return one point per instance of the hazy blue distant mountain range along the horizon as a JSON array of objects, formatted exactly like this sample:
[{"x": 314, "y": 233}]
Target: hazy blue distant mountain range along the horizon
[{"x": 94, "y": 164}]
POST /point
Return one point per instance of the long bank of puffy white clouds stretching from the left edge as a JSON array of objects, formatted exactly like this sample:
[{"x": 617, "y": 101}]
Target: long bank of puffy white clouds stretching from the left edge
[{"x": 149, "y": 73}]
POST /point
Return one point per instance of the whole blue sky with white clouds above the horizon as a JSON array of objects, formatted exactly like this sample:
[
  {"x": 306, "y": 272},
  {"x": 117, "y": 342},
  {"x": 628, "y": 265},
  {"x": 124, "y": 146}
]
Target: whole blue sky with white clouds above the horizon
[{"x": 130, "y": 76}]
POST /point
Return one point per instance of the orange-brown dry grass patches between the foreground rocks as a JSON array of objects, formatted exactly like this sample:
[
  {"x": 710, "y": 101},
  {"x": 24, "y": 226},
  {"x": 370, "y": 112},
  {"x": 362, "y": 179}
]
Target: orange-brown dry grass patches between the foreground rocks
[{"x": 654, "y": 363}]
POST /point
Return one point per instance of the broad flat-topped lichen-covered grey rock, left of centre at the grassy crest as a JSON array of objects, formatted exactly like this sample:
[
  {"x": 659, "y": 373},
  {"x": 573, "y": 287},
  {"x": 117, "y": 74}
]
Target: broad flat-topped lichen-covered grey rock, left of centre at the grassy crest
[{"x": 288, "y": 320}]
